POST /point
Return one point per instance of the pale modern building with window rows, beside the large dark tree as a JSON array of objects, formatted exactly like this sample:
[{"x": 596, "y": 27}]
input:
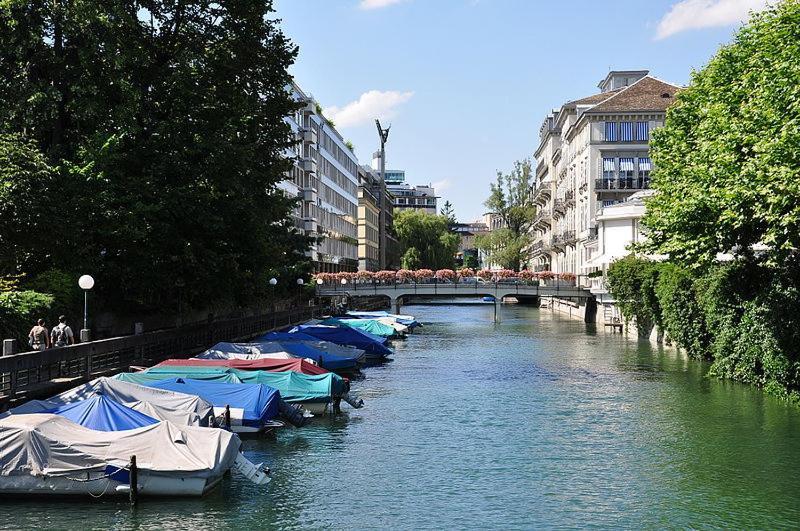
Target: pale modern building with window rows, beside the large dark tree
[{"x": 325, "y": 179}]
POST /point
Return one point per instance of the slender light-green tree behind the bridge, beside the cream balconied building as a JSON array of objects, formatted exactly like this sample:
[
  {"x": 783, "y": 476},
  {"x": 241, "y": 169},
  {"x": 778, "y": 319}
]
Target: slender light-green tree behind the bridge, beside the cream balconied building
[{"x": 511, "y": 199}]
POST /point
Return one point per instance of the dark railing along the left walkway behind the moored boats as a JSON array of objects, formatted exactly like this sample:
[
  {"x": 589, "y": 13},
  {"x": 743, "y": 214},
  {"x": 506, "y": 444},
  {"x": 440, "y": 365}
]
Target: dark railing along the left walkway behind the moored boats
[{"x": 25, "y": 374}]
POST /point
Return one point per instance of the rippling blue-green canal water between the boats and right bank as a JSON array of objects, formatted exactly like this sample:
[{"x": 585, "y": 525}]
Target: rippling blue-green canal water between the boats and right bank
[{"x": 536, "y": 421}]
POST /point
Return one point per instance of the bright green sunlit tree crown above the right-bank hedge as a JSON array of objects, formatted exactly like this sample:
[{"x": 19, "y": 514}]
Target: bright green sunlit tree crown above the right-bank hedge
[{"x": 727, "y": 159}]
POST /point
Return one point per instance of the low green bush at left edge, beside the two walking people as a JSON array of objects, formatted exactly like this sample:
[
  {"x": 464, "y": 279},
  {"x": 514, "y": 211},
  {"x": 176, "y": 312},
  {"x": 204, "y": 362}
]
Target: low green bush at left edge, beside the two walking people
[{"x": 19, "y": 311}]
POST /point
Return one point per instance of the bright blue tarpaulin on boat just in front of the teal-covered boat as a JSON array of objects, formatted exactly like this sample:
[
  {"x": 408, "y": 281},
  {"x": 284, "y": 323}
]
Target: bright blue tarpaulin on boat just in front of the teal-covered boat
[{"x": 256, "y": 403}]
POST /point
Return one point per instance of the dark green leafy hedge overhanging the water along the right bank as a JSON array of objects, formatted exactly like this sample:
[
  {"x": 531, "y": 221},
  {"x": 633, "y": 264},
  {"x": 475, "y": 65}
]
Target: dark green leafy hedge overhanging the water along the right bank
[{"x": 742, "y": 315}]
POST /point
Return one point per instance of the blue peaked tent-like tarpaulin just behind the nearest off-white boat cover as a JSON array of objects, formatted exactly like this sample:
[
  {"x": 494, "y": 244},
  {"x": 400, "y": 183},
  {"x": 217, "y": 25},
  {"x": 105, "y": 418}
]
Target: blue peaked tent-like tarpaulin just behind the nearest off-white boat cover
[{"x": 101, "y": 413}]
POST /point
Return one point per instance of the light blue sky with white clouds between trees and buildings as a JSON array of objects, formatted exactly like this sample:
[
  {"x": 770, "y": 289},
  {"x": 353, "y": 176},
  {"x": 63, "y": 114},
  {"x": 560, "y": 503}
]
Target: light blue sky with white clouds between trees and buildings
[{"x": 466, "y": 84}]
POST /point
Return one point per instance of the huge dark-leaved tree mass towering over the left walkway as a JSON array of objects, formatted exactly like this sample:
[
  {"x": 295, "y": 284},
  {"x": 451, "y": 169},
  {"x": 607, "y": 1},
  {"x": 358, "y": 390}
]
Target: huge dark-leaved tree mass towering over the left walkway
[{"x": 163, "y": 123}]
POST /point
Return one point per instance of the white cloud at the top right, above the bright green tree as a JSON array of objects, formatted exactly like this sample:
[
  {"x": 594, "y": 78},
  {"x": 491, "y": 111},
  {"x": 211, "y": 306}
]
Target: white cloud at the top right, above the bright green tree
[{"x": 697, "y": 14}]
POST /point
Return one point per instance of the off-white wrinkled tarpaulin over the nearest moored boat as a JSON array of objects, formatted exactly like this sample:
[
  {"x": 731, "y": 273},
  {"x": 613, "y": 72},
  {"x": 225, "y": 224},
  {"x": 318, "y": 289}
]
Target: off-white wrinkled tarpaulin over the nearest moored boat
[{"x": 49, "y": 445}]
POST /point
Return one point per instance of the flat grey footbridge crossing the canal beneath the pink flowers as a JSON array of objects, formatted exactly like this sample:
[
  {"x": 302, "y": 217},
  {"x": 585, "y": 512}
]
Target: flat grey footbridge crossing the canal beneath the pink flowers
[{"x": 400, "y": 291}]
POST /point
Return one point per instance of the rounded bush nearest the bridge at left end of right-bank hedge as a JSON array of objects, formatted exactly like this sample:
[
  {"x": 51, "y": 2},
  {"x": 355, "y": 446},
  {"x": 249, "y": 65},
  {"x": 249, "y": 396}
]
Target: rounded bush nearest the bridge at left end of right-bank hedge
[{"x": 632, "y": 282}]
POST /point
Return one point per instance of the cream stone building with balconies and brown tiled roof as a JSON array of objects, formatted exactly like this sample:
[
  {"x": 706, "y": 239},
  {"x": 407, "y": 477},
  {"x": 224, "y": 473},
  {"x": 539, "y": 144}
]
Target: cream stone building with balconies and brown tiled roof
[{"x": 593, "y": 153}]
